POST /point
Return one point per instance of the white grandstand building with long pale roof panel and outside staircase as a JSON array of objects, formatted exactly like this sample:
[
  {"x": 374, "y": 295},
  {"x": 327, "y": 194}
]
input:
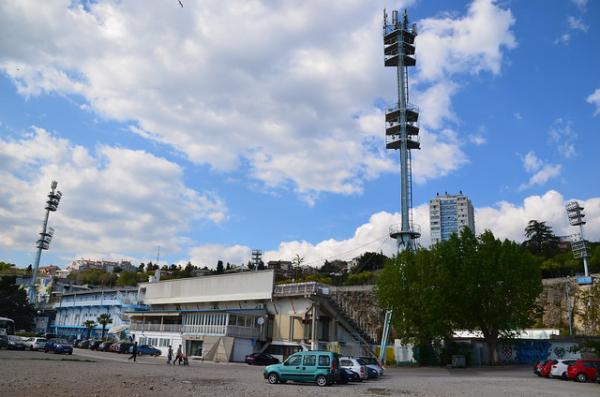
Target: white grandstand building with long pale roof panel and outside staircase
[{"x": 225, "y": 317}]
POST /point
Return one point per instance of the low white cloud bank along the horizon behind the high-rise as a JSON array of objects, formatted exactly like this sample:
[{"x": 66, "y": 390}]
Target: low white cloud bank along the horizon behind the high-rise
[{"x": 504, "y": 219}]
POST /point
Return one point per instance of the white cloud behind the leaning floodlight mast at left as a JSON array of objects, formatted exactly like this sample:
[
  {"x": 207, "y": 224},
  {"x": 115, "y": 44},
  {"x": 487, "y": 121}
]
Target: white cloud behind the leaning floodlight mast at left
[{"x": 117, "y": 202}]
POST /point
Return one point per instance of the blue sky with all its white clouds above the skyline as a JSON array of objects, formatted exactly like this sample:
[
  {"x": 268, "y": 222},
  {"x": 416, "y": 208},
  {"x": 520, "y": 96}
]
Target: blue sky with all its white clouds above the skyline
[{"x": 216, "y": 128}]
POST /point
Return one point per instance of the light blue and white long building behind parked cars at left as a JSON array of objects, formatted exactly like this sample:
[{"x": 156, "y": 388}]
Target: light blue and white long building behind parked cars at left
[{"x": 74, "y": 308}]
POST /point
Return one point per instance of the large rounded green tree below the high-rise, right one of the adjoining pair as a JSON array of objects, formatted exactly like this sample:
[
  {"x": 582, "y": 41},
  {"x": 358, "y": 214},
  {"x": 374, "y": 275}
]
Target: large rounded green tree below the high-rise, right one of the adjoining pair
[{"x": 493, "y": 288}]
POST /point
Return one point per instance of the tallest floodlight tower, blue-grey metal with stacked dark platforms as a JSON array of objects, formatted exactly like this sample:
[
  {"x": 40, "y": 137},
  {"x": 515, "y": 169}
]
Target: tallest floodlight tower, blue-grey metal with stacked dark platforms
[{"x": 402, "y": 129}]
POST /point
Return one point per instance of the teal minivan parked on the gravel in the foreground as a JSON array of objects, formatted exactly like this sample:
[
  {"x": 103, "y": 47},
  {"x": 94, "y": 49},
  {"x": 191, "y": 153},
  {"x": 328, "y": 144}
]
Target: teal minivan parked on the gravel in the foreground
[{"x": 310, "y": 366}]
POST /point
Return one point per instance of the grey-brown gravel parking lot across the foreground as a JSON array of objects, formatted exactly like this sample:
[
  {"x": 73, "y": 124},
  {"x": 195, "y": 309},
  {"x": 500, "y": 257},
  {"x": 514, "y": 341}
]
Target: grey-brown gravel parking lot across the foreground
[{"x": 88, "y": 373}]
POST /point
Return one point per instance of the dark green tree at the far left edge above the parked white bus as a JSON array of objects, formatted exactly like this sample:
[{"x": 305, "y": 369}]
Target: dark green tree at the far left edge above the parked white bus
[{"x": 14, "y": 303}]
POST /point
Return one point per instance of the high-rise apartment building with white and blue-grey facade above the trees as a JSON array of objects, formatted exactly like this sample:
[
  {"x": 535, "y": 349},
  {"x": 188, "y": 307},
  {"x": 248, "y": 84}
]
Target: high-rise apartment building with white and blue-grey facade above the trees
[{"x": 449, "y": 214}]
